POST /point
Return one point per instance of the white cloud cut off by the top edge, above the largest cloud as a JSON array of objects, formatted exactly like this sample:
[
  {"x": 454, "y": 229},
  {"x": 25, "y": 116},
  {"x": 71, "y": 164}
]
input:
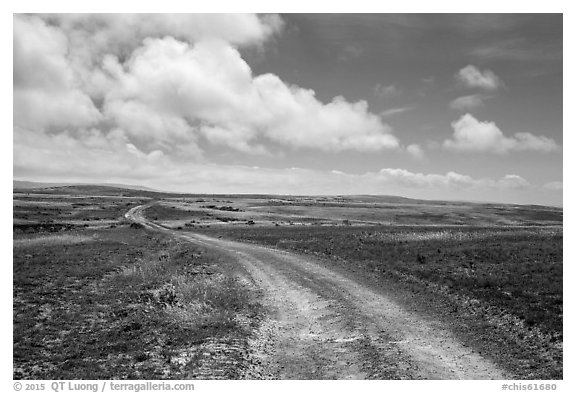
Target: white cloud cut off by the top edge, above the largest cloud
[{"x": 92, "y": 37}]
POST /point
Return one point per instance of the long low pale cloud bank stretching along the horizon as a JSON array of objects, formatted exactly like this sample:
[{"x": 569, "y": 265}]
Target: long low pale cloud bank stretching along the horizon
[{"x": 110, "y": 156}]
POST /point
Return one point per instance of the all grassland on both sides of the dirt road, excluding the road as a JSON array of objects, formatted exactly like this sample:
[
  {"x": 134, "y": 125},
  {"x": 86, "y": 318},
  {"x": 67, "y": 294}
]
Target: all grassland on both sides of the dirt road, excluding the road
[{"x": 96, "y": 298}]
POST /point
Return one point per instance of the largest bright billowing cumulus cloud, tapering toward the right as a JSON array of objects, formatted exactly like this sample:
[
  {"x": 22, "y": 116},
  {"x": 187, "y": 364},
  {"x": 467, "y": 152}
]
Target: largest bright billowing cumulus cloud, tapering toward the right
[{"x": 210, "y": 87}]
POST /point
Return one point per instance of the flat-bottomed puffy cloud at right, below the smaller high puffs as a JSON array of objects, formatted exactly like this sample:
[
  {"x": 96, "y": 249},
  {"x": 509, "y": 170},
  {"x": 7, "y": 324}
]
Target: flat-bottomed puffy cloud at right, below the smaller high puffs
[{"x": 472, "y": 135}]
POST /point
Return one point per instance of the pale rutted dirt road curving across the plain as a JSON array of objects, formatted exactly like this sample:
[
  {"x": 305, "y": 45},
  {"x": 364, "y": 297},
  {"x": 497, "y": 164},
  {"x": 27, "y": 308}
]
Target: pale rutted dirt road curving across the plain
[{"x": 323, "y": 325}]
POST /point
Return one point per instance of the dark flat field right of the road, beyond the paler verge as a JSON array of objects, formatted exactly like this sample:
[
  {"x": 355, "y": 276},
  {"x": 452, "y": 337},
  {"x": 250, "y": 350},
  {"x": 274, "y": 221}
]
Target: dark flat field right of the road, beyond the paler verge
[{"x": 516, "y": 269}]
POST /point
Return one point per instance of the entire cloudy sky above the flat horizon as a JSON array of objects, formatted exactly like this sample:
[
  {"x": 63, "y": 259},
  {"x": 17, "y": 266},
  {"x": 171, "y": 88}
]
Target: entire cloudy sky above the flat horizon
[{"x": 433, "y": 106}]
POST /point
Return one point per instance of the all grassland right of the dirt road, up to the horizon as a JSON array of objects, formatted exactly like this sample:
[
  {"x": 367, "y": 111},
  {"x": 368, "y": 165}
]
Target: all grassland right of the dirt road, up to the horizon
[{"x": 493, "y": 272}]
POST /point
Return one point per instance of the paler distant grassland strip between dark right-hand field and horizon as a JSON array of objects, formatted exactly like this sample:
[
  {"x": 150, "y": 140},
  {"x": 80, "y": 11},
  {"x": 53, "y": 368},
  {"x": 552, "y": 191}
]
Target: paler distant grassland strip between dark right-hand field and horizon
[{"x": 229, "y": 210}]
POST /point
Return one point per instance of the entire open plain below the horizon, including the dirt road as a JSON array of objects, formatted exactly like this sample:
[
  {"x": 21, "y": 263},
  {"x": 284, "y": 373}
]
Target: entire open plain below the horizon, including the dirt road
[{"x": 117, "y": 283}]
